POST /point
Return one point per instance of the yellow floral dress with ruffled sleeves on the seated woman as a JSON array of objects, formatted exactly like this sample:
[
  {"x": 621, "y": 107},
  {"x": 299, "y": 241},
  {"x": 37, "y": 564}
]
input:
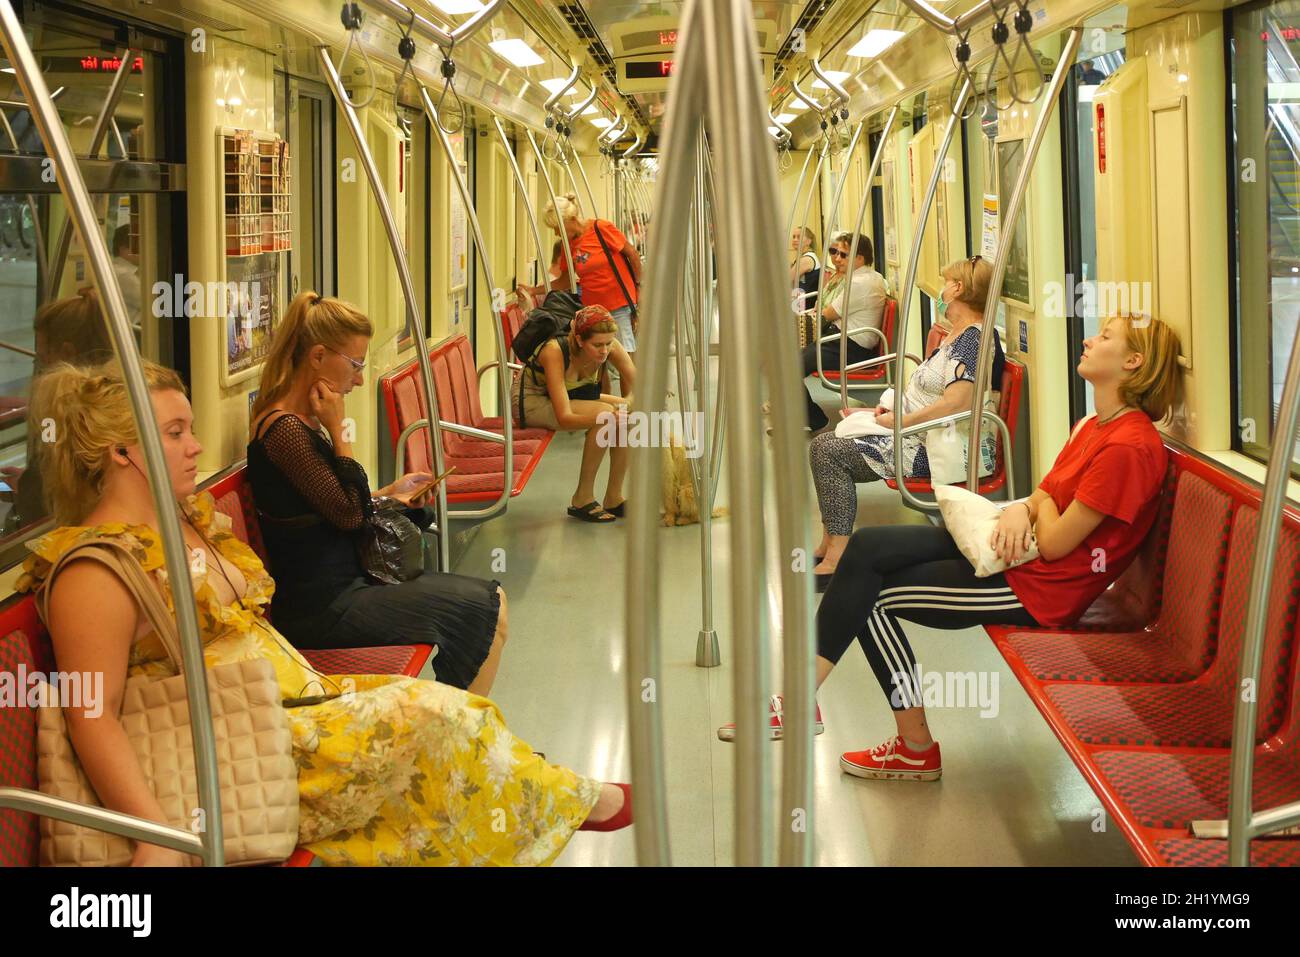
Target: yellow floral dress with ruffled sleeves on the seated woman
[{"x": 393, "y": 772}]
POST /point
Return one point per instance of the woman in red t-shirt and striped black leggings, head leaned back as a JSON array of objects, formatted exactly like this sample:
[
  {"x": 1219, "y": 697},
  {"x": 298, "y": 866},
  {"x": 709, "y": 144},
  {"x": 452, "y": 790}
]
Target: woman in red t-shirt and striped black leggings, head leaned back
[{"x": 1090, "y": 516}]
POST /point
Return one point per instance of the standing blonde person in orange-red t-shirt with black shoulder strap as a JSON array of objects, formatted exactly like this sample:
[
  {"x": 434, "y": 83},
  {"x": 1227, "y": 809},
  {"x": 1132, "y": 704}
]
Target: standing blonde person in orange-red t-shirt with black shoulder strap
[{"x": 606, "y": 280}]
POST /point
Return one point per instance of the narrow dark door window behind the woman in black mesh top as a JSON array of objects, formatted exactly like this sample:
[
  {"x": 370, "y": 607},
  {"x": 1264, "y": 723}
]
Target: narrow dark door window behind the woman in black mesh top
[{"x": 309, "y": 125}]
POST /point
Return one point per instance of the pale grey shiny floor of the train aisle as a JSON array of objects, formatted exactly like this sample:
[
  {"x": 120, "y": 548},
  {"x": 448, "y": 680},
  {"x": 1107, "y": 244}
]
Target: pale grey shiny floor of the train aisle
[{"x": 1009, "y": 794}]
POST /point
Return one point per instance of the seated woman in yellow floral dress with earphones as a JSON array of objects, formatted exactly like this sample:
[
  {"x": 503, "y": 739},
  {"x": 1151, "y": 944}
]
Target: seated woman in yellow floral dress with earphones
[{"x": 392, "y": 770}]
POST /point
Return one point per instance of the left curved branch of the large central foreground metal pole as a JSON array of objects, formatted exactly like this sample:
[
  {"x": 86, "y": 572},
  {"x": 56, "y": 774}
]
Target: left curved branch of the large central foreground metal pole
[{"x": 642, "y": 601}]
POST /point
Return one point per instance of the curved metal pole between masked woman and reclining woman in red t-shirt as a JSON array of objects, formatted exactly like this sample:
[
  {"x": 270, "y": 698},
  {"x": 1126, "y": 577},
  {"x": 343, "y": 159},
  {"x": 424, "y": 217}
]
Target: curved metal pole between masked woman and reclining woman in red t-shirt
[{"x": 1004, "y": 252}]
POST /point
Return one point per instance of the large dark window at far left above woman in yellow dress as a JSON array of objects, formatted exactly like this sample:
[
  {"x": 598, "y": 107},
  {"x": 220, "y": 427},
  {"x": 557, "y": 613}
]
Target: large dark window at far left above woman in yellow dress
[{"x": 137, "y": 183}]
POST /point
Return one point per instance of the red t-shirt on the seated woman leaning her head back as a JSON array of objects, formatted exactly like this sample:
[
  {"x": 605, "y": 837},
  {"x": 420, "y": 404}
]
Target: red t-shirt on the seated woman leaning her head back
[{"x": 1117, "y": 470}]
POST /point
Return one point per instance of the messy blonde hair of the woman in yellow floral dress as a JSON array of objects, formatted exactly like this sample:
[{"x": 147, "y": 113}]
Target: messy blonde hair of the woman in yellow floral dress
[{"x": 90, "y": 412}]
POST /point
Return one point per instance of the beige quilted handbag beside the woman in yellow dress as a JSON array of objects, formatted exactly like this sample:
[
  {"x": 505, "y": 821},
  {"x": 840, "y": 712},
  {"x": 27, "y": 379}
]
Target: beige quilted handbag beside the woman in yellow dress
[{"x": 257, "y": 770}]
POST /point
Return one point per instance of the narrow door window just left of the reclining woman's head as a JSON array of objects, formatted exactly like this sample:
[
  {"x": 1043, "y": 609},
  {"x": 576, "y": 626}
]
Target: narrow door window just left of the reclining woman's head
[{"x": 1103, "y": 55}]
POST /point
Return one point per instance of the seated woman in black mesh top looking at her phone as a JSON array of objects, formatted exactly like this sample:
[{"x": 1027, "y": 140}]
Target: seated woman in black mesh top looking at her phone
[{"x": 314, "y": 497}]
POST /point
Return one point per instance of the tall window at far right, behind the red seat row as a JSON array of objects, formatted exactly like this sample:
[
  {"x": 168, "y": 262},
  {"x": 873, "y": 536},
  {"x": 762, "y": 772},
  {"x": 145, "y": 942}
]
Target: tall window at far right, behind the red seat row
[{"x": 1267, "y": 183}]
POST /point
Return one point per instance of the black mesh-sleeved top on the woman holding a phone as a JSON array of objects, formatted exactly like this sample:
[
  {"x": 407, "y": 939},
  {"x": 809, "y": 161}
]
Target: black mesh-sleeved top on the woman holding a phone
[{"x": 311, "y": 504}]
